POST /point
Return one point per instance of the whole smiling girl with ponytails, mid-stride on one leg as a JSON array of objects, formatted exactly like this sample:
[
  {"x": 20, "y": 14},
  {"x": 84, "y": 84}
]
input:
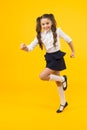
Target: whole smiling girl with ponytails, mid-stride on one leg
[{"x": 48, "y": 36}]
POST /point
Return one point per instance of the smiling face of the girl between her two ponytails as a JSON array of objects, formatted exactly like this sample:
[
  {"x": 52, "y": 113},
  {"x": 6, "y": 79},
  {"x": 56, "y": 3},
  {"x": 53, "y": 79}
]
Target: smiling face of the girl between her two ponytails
[{"x": 46, "y": 24}]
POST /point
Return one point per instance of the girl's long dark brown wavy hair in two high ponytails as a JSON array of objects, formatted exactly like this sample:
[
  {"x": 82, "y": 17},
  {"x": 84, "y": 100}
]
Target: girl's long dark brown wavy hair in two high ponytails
[{"x": 53, "y": 28}]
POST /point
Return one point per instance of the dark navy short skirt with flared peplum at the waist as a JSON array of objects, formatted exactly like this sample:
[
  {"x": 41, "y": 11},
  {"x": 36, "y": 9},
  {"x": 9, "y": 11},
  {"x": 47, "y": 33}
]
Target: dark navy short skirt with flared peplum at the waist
[{"x": 55, "y": 60}]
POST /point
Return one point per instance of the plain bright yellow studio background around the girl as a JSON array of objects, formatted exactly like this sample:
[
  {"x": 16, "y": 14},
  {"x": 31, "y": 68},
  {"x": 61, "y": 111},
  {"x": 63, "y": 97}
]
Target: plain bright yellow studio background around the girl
[{"x": 26, "y": 102}]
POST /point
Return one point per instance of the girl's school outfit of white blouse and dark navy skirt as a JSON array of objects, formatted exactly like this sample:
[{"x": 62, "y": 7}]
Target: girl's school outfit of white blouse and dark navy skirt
[{"x": 54, "y": 56}]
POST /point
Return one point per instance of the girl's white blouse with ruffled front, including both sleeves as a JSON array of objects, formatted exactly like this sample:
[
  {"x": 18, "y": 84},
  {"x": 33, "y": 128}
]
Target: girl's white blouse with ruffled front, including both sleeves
[{"x": 47, "y": 39}]
